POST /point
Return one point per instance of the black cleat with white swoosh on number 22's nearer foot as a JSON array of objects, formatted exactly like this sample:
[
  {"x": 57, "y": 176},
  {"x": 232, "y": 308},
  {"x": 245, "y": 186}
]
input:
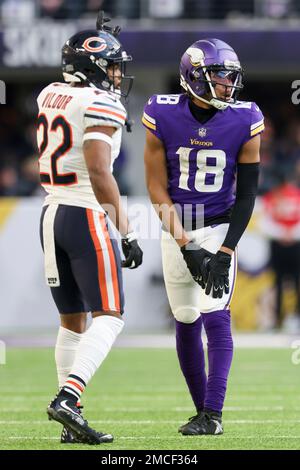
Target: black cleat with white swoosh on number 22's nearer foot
[{"x": 67, "y": 413}]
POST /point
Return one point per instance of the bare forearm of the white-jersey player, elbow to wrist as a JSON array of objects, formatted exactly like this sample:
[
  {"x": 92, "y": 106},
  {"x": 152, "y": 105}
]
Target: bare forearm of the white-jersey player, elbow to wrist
[{"x": 107, "y": 194}]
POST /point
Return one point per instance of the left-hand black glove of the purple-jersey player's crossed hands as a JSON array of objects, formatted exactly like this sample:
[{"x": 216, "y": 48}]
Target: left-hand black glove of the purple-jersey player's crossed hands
[{"x": 197, "y": 259}]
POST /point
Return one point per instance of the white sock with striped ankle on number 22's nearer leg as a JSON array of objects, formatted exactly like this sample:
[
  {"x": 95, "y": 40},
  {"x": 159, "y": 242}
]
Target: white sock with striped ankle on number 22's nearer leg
[{"x": 93, "y": 348}]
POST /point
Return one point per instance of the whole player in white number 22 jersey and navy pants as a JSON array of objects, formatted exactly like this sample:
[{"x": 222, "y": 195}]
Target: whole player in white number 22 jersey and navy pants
[{"x": 79, "y": 136}]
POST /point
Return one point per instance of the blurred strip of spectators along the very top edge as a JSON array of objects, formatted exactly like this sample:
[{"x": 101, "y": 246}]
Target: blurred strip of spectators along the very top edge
[{"x": 18, "y": 10}]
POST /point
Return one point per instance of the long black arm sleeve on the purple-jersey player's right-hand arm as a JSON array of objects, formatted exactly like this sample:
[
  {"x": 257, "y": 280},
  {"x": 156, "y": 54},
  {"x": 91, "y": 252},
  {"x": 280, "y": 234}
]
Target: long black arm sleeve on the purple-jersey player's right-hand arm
[{"x": 246, "y": 190}]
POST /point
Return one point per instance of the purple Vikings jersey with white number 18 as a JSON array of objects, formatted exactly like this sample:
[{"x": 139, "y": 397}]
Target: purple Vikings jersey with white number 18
[{"x": 201, "y": 158}]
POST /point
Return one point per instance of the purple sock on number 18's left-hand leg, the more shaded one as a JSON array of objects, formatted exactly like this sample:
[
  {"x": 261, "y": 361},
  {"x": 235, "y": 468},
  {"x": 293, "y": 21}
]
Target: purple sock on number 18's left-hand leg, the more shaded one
[{"x": 191, "y": 358}]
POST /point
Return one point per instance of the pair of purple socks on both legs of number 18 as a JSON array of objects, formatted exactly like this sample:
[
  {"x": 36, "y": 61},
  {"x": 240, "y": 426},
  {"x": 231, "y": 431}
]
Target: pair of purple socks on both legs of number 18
[{"x": 208, "y": 394}]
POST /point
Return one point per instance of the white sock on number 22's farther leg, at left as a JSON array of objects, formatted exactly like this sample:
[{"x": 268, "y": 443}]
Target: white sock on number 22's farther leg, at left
[{"x": 65, "y": 351}]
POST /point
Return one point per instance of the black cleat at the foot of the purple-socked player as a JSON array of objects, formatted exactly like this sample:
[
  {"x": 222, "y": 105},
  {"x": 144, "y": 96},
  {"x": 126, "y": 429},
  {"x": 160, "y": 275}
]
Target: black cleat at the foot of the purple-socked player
[{"x": 203, "y": 423}]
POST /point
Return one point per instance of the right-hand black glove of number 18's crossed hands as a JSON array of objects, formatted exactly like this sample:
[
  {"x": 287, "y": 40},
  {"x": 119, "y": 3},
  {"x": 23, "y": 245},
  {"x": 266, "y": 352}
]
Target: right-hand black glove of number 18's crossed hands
[{"x": 218, "y": 275}]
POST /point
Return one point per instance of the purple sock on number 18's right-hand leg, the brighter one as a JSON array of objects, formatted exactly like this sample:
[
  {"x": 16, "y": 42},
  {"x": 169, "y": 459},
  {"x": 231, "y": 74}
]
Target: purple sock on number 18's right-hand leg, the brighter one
[{"x": 220, "y": 352}]
